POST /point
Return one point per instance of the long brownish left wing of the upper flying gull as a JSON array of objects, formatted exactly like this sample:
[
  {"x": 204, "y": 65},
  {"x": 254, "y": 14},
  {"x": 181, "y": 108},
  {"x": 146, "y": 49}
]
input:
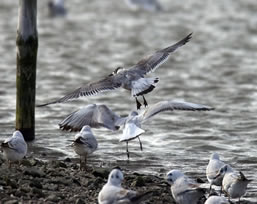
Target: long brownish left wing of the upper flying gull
[{"x": 107, "y": 84}]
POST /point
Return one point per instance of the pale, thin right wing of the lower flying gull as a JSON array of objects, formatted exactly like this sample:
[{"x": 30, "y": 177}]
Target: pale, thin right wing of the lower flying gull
[{"x": 172, "y": 105}]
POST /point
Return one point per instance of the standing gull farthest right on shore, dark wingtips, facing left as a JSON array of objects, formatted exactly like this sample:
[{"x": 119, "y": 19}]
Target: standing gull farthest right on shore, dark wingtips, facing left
[{"x": 234, "y": 183}]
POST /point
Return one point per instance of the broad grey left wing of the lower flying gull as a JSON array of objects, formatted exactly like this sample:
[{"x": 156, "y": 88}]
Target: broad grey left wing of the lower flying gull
[{"x": 93, "y": 115}]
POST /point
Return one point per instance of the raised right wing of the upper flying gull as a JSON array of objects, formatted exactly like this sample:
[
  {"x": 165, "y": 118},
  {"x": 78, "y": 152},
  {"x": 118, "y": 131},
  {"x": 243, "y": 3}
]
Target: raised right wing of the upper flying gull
[{"x": 152, "y": 62}]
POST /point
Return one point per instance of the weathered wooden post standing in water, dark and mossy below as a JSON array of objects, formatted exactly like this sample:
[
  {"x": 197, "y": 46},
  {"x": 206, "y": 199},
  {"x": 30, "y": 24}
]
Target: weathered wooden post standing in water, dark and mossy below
[{"x": 27, "y": 45}]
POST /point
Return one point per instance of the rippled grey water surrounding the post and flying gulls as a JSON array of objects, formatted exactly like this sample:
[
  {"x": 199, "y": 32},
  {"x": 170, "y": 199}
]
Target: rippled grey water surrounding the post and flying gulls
[{"x": 217, "y": 68}]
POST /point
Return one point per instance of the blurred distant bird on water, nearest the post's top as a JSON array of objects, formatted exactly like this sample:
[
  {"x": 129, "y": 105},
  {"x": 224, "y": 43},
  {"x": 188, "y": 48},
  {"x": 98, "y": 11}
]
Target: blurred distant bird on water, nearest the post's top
[{"x": 56, "y": 8}]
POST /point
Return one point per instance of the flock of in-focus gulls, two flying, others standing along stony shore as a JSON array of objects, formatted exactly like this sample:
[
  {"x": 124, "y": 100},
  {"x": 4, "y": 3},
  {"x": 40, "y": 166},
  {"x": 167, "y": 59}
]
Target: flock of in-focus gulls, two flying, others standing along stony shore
[{"x": 184, "y": 190}]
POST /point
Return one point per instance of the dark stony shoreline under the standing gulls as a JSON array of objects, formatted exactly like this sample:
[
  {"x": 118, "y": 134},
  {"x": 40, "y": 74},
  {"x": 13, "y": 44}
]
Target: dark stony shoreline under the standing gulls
[{"x": 40, "y": 178}]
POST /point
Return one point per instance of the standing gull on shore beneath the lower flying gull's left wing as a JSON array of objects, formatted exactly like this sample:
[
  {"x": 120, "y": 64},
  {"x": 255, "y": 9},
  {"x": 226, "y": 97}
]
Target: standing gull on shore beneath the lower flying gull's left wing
[{"x": 84, "y": 143}]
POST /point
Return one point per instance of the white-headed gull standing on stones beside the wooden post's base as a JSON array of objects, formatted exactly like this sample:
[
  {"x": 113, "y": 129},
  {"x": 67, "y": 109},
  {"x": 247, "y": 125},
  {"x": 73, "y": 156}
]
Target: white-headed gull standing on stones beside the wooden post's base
[{"x": 14, "y": 148}]
